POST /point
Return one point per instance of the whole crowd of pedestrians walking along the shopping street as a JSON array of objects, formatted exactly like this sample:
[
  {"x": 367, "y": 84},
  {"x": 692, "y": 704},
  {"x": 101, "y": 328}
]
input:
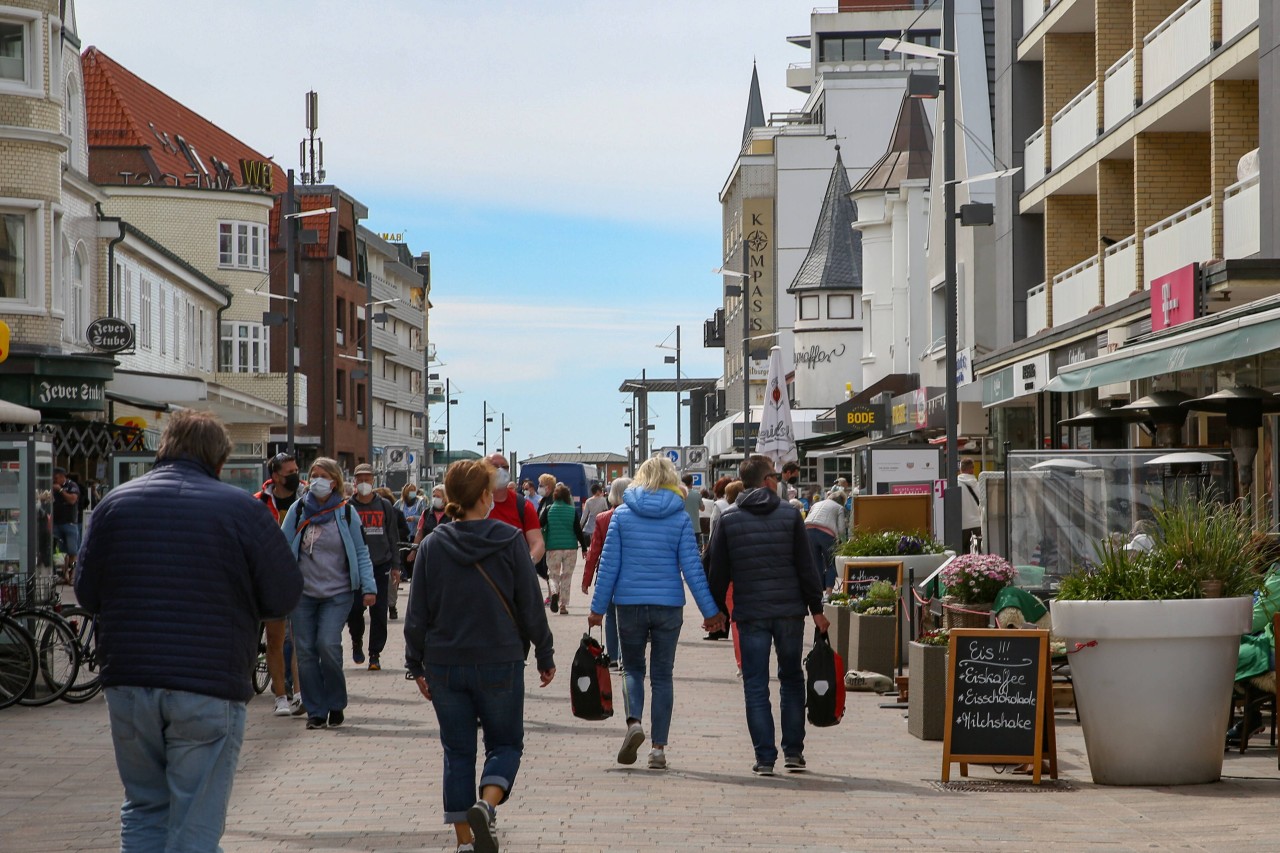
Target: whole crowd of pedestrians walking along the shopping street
[{"x": 305, "y": 558}]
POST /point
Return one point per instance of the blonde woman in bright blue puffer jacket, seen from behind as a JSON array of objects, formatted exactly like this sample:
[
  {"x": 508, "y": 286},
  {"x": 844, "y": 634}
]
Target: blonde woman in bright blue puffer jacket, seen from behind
[{"x": 650, "y": 546}]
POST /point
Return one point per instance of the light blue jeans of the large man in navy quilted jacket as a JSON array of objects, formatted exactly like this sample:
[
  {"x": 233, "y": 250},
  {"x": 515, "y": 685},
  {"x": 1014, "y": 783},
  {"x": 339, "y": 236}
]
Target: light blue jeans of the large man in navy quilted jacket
[{"x": 177, "y": 755}]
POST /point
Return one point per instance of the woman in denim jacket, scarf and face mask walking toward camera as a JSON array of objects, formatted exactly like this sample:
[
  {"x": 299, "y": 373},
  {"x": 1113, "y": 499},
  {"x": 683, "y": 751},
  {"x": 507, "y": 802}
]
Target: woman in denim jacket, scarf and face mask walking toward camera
[{"x": 324, "y": 533}]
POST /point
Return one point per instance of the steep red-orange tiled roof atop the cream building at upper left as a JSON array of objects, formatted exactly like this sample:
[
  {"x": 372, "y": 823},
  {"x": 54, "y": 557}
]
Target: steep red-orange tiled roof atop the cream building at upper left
[{"x": 126, "y": 112}]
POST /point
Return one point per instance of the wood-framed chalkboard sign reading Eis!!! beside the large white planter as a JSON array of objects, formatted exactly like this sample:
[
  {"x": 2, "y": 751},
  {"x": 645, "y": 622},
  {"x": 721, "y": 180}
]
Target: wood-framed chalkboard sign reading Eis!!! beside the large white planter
[{"x": 999, "y": 701}]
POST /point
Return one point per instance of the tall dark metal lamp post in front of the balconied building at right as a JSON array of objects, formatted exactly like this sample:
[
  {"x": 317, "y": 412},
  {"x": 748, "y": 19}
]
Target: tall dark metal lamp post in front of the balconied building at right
[{"x": 952, "y": 500}]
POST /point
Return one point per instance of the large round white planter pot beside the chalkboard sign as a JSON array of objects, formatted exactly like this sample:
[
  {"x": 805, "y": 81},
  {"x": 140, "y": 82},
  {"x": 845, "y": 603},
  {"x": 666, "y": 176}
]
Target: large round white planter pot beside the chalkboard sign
[{"x": 1155, "y": 692}]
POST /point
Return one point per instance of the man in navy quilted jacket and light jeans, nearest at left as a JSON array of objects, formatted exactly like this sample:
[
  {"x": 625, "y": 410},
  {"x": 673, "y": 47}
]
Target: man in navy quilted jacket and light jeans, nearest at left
[{"x": 181, "y": 569}]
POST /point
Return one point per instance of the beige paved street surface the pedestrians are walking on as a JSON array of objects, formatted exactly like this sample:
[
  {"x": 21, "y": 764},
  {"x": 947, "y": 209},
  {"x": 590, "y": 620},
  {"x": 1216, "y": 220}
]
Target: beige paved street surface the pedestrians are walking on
[{"x": 376, "y": 783}]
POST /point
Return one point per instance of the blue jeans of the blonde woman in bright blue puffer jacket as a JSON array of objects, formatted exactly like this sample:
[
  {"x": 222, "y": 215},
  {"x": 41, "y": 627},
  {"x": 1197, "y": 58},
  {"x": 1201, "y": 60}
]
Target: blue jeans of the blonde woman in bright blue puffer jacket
[{"x": 655, "y": 626}]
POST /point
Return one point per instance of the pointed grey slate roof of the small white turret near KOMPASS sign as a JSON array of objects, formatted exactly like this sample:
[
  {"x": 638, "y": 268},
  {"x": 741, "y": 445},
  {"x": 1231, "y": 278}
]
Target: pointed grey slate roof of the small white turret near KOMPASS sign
[{"x": 835, "y": 259}]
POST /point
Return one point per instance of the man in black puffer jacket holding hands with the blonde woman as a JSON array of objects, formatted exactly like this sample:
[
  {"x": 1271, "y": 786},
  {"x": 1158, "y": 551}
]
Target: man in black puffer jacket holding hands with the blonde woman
[{"x": 761, "y": 548}]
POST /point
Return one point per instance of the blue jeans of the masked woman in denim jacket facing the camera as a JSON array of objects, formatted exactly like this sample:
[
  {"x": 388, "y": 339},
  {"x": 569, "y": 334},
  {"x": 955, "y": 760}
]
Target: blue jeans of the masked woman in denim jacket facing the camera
[{"x": 318, "y": 637}]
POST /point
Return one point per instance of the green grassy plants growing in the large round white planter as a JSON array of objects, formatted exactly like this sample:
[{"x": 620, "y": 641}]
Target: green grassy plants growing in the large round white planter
[{"x": 1194, "y": 542}]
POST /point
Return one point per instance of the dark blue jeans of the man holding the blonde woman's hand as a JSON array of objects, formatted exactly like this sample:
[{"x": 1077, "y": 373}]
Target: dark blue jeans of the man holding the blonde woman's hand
[{"x": 788, "y": 637}]
